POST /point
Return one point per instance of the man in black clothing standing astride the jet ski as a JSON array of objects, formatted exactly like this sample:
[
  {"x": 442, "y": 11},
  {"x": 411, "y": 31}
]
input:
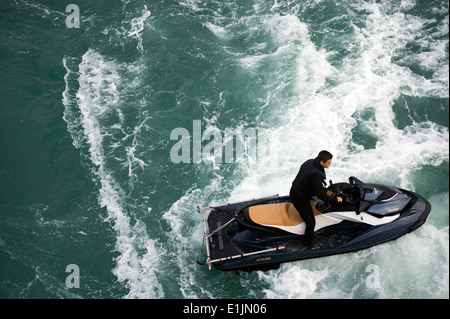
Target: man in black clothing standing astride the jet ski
[{"x": 310, "y": 181}]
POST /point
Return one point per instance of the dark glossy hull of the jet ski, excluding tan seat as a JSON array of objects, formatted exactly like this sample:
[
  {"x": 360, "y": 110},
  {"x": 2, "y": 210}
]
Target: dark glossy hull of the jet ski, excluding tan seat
[{"x": 237, "y": 246}]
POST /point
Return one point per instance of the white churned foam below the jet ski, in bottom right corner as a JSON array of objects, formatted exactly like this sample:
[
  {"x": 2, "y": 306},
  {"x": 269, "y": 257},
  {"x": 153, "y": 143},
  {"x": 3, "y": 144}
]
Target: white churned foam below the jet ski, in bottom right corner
[{"x": 414, "y": 266}]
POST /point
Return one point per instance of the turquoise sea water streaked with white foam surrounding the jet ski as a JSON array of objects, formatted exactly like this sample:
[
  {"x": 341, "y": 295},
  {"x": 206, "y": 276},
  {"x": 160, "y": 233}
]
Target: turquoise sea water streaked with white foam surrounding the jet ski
[{"x": 87, "y": 176}]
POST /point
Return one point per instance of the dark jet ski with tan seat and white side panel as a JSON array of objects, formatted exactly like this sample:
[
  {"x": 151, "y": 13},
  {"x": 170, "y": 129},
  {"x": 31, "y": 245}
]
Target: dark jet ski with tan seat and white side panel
[{"x": 260, "y": 234}]
